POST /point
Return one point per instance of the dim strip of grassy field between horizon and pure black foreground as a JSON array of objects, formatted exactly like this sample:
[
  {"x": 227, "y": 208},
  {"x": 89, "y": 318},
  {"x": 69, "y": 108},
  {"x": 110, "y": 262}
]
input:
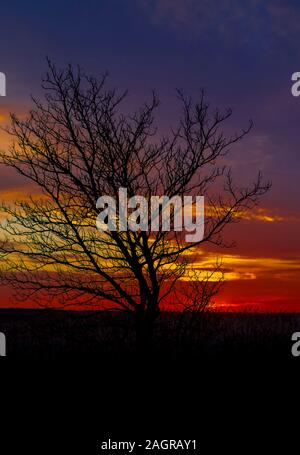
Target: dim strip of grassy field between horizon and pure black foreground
[{"x": 50, "y": 334}]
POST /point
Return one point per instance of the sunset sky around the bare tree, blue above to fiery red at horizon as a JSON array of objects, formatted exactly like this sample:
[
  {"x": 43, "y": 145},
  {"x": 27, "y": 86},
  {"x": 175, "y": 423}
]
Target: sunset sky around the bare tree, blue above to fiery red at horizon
[{"x": 242, "y": 53}]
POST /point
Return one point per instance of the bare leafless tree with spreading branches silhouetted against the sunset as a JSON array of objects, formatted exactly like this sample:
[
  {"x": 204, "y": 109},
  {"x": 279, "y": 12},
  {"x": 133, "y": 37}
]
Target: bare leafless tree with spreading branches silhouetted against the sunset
[{"x": 76, "y": 145}]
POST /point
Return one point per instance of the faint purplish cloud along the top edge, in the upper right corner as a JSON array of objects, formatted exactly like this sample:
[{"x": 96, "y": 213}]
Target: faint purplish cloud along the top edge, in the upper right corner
[{"x": 249, "y": 19}]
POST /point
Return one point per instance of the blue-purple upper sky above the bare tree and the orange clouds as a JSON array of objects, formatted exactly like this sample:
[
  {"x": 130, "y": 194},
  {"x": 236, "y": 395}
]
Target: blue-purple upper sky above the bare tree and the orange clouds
[{"x": 241, "y": 52}]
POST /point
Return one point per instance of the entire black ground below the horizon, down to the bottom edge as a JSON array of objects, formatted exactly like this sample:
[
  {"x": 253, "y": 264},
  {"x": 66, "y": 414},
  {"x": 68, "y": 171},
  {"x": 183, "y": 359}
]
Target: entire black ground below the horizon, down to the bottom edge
[{"x": 68, "y": 407}]
